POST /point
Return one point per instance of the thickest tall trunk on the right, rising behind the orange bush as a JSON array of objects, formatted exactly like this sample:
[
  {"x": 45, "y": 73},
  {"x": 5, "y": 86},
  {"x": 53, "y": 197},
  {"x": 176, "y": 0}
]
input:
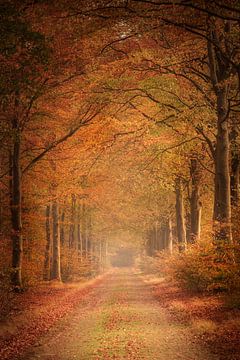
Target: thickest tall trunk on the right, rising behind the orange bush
[{"x": 220, "y": 75}]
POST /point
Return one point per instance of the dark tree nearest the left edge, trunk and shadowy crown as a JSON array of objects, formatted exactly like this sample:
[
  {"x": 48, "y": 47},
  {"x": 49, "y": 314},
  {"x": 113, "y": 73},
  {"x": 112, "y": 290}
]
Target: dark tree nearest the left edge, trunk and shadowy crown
[{"x": 24, "y": 54}]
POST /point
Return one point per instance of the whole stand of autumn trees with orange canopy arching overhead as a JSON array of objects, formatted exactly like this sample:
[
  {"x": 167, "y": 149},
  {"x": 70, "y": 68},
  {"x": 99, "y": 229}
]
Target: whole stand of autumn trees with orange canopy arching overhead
[{"x": 141, "y": 98}]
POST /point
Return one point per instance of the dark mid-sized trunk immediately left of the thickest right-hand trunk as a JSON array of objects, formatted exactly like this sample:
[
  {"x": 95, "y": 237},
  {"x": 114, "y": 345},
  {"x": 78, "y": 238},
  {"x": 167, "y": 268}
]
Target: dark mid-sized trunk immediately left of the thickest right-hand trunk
[{"x": 195, "y": 203}]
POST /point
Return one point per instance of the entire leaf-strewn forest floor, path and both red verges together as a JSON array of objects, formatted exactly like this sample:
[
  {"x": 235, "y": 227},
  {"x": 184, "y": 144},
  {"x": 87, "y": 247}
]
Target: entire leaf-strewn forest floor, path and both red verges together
[{"x": 121, "y": 315}]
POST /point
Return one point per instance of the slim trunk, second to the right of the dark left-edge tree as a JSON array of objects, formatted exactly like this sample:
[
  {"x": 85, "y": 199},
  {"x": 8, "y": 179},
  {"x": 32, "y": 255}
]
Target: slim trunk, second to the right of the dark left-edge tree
[{"x": 56, "y": 264}]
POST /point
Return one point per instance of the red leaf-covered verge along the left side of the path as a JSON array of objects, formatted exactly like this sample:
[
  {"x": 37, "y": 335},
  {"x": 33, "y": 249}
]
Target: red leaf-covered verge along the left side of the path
[{"x": 34, "y": 312}]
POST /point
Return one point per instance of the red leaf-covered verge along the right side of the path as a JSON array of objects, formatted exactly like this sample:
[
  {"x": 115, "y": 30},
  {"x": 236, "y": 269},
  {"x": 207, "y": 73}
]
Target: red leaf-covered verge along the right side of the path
[{"x": 215, "y": 322}]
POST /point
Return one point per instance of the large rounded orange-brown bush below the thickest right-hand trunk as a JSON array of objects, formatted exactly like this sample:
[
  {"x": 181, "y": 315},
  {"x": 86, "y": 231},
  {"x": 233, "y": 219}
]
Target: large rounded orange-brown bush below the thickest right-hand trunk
[{"x": 205, "y": 267}]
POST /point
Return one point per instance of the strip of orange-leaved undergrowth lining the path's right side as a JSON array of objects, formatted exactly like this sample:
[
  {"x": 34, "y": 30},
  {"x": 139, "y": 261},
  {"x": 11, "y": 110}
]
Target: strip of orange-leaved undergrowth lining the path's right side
[{"x": 202, "y": 268}]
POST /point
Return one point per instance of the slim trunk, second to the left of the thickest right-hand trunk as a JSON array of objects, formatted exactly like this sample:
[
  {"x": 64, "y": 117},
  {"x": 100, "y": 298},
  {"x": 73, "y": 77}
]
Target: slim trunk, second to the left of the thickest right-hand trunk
[{"x": 181, "y": 229}]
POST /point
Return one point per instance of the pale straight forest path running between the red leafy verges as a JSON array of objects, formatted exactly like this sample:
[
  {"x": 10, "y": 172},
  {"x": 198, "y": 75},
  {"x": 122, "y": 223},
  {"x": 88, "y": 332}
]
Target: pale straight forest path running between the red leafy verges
[{"x": 120, "y": 319}]
